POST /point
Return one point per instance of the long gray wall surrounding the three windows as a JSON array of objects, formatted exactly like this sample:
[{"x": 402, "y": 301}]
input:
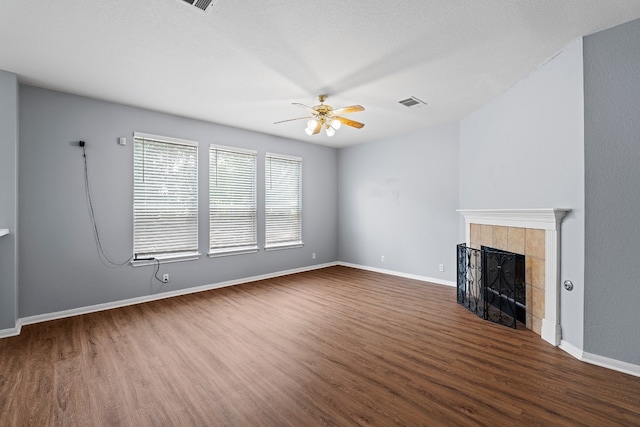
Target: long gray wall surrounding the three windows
[{"x": 59, "y": 265}]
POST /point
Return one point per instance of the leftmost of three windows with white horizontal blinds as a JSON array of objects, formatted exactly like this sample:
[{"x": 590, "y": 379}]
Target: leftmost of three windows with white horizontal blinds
[{"x": 165, "y": 197}]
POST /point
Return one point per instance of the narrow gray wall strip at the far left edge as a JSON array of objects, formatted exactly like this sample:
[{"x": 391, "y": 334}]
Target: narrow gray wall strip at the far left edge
[{"x": 8, "y": 199}]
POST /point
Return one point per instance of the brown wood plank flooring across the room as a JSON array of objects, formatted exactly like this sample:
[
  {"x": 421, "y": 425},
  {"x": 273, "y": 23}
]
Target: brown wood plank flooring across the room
[{"x": 332, "y": 347}]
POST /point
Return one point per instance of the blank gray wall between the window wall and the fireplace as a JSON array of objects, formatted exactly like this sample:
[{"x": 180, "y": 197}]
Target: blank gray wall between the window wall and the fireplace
[{"x": 398, "y": 198}]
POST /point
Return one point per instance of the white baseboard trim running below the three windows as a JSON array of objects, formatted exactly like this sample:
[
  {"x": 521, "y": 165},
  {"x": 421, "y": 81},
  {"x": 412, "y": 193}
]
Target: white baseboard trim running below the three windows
[{"x": 148, "y": 298}]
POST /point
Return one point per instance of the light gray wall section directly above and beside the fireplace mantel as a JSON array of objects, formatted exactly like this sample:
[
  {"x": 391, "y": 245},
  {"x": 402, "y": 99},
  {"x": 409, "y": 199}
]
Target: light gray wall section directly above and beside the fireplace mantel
[{"x": 525, "y": 150}]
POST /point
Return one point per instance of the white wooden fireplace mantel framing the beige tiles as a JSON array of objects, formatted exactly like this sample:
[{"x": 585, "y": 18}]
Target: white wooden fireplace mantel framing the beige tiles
[{"x": 548, "y": 219}]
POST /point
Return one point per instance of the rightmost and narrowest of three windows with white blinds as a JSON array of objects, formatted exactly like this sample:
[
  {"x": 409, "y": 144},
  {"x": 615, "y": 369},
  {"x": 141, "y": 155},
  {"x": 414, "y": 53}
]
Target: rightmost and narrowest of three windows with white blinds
[{"x": 283, "y": 201}]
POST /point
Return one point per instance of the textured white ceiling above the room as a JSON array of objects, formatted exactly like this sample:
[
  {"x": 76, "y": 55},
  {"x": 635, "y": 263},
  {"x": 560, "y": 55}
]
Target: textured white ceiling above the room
[{"x": 244, "y": 62}]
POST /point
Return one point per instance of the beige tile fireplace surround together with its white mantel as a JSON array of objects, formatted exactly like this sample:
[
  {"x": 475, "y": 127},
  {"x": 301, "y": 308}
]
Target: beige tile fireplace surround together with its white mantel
[{"x": 535, "y": 233}]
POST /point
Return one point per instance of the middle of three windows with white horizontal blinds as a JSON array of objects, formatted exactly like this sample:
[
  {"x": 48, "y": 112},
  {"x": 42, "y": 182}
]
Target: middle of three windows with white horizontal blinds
[{"x": 232, "y": 201}]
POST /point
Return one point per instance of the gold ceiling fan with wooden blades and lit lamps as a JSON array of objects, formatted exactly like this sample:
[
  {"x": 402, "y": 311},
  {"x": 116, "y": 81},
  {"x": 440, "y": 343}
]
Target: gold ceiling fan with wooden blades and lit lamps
[{"x": 324, "y": 116}]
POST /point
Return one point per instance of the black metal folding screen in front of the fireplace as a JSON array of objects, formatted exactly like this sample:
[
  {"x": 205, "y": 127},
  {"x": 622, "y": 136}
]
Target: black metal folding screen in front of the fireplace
[{"x": 491, "y": 284}]
